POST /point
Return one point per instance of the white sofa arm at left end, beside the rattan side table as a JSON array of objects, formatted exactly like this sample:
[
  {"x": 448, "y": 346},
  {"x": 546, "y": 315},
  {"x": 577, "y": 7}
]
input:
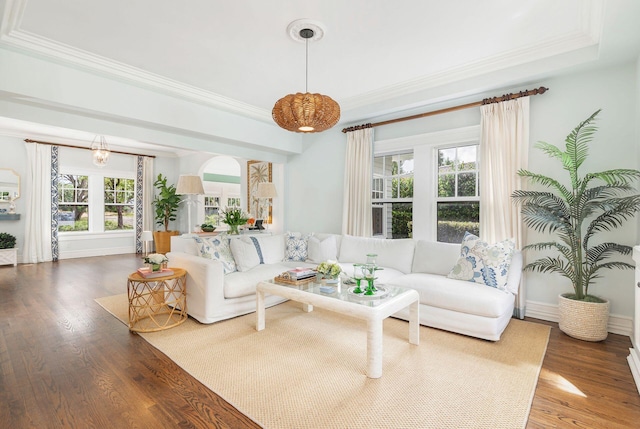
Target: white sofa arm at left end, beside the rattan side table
[{"x": 205, "y": 283}]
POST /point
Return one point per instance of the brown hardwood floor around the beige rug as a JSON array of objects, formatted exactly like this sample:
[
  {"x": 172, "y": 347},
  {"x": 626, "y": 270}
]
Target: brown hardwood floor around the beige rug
[{"x": 65, "y": 362}]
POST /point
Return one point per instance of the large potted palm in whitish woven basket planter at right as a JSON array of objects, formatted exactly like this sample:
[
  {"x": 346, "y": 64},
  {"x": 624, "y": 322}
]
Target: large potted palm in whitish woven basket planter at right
[{"x": 593, "y": 203}]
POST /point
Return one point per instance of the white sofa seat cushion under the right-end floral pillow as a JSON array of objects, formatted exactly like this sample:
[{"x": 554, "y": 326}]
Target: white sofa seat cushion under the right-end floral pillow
[{"x": 458, "y": 295}]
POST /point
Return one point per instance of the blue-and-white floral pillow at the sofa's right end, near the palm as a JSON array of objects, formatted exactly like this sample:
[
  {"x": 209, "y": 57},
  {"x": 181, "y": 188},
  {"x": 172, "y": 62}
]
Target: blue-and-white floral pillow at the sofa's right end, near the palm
[{"x": 484, "y": 263}]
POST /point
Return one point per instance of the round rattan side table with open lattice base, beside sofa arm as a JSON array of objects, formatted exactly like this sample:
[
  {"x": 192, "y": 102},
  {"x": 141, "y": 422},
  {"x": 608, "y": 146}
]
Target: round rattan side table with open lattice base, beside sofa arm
[{"x": 157, "y": 303}]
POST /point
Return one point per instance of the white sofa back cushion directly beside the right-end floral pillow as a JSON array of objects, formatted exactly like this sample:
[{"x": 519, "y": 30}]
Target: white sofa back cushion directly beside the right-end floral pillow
[{"x": 433, "y": 257}]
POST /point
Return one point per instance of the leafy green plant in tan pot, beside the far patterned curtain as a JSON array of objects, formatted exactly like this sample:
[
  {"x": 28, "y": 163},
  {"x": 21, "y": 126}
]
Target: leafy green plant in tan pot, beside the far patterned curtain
[{"x": 166, "y": 203}]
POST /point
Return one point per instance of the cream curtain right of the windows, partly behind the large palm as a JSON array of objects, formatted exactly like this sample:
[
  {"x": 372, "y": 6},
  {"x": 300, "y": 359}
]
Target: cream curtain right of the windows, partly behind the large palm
[{"x": 504, "y": 150}]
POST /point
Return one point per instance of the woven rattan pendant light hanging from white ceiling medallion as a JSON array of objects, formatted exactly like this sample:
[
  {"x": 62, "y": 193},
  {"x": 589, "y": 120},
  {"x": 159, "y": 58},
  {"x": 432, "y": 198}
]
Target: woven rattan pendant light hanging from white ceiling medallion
[{"x": 306, "y": 113}]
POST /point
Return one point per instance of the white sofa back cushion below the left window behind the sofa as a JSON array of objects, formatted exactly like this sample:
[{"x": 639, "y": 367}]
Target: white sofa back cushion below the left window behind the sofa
[{"x": 396, "y": 254}]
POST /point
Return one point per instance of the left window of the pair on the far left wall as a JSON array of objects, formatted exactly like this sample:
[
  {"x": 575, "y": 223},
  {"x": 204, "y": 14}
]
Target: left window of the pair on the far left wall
[{"x": 73, "y": 202}]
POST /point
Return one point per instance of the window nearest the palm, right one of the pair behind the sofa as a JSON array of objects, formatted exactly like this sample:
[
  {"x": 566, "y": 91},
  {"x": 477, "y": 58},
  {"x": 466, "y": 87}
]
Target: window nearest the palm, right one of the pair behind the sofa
[{"x": 458, "y": 201}]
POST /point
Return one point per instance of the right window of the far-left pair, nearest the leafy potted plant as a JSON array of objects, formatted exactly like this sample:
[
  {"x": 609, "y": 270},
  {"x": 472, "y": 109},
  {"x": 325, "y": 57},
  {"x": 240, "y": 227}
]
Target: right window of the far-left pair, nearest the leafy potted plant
[{"x": 119, "y": 199}]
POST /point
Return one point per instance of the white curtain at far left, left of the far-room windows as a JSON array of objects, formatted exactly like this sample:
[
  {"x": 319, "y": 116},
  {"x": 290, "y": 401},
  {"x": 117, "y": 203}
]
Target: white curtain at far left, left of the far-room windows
[{"x": 37, "y": 243}]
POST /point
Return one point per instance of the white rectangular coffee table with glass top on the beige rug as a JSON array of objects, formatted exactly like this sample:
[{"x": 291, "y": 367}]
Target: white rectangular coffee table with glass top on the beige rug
[{"x": 372, "y": 310}]
